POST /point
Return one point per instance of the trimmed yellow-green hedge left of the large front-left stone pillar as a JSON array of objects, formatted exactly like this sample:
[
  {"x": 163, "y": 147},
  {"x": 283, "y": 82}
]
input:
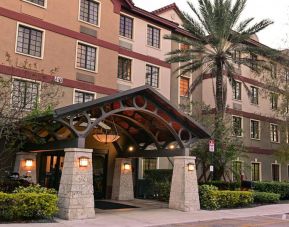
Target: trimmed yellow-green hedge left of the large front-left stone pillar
[{"x": 27, "y": 206}]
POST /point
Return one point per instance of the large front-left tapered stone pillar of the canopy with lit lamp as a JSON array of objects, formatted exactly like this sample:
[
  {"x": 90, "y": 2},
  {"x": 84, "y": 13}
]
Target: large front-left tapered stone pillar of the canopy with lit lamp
[{"x": 76, "y": 198}]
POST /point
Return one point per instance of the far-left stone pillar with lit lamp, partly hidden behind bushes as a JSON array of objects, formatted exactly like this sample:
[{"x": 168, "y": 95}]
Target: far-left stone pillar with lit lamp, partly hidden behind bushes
[{"x": 22, "y": 168}]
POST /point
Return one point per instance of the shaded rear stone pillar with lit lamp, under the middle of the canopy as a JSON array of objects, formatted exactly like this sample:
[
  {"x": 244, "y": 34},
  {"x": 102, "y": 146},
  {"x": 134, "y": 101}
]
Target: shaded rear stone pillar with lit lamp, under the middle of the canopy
[{"x": 122, "y": 184}]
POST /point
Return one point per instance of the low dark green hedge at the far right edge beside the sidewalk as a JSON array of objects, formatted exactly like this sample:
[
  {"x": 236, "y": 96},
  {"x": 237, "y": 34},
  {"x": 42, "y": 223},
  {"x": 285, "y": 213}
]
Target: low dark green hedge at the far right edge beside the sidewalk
[{"x": 273, "y": 187}]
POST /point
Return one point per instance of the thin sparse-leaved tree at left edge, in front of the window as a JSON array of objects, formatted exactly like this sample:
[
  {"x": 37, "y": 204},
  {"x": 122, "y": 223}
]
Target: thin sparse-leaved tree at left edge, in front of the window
[{"x": 20, "y": 104}]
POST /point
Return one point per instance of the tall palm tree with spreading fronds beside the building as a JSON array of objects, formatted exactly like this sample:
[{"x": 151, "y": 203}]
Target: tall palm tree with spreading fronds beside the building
[{"x": 218, "y": 38}]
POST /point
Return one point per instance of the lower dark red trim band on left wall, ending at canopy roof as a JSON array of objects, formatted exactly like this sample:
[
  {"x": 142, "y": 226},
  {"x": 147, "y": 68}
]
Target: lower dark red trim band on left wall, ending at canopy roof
[{"x": 12, "y": 71}]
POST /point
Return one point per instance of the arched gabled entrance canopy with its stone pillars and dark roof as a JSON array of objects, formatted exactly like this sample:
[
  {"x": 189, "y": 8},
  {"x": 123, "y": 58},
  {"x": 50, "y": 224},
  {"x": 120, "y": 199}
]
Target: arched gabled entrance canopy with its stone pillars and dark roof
[{"x": 144, "y": 124}]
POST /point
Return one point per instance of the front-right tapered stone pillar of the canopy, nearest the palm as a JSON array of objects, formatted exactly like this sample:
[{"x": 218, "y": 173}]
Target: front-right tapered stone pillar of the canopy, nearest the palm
[{"x": 184, "y": 194}]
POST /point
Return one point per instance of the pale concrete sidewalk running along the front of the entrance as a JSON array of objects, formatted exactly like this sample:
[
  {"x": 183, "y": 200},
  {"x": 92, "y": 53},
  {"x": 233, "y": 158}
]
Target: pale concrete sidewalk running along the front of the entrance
[{"x": 156, "y": 217}]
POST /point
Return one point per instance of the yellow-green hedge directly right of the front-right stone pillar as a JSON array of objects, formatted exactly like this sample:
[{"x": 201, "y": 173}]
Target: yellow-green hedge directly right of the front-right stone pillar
[{"x": 212, "y": 199}]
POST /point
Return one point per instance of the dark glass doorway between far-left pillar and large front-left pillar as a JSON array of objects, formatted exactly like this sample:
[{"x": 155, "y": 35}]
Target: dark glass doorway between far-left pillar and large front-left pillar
[{"x": 51, "y": 169}]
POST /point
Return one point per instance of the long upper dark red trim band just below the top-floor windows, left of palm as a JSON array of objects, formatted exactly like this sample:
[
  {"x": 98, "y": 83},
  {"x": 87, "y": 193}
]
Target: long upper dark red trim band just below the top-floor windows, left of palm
[{"x": 24, "y": 18}]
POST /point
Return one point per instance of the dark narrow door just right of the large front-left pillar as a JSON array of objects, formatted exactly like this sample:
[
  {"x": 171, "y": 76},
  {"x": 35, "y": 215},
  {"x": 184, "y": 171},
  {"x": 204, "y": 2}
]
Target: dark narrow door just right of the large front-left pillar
[{"x": 99, "y": 162}]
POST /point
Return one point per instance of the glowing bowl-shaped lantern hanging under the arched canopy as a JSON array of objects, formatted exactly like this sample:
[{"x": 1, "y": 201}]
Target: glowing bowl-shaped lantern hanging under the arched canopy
[{"x": 107, "y": 134}]
